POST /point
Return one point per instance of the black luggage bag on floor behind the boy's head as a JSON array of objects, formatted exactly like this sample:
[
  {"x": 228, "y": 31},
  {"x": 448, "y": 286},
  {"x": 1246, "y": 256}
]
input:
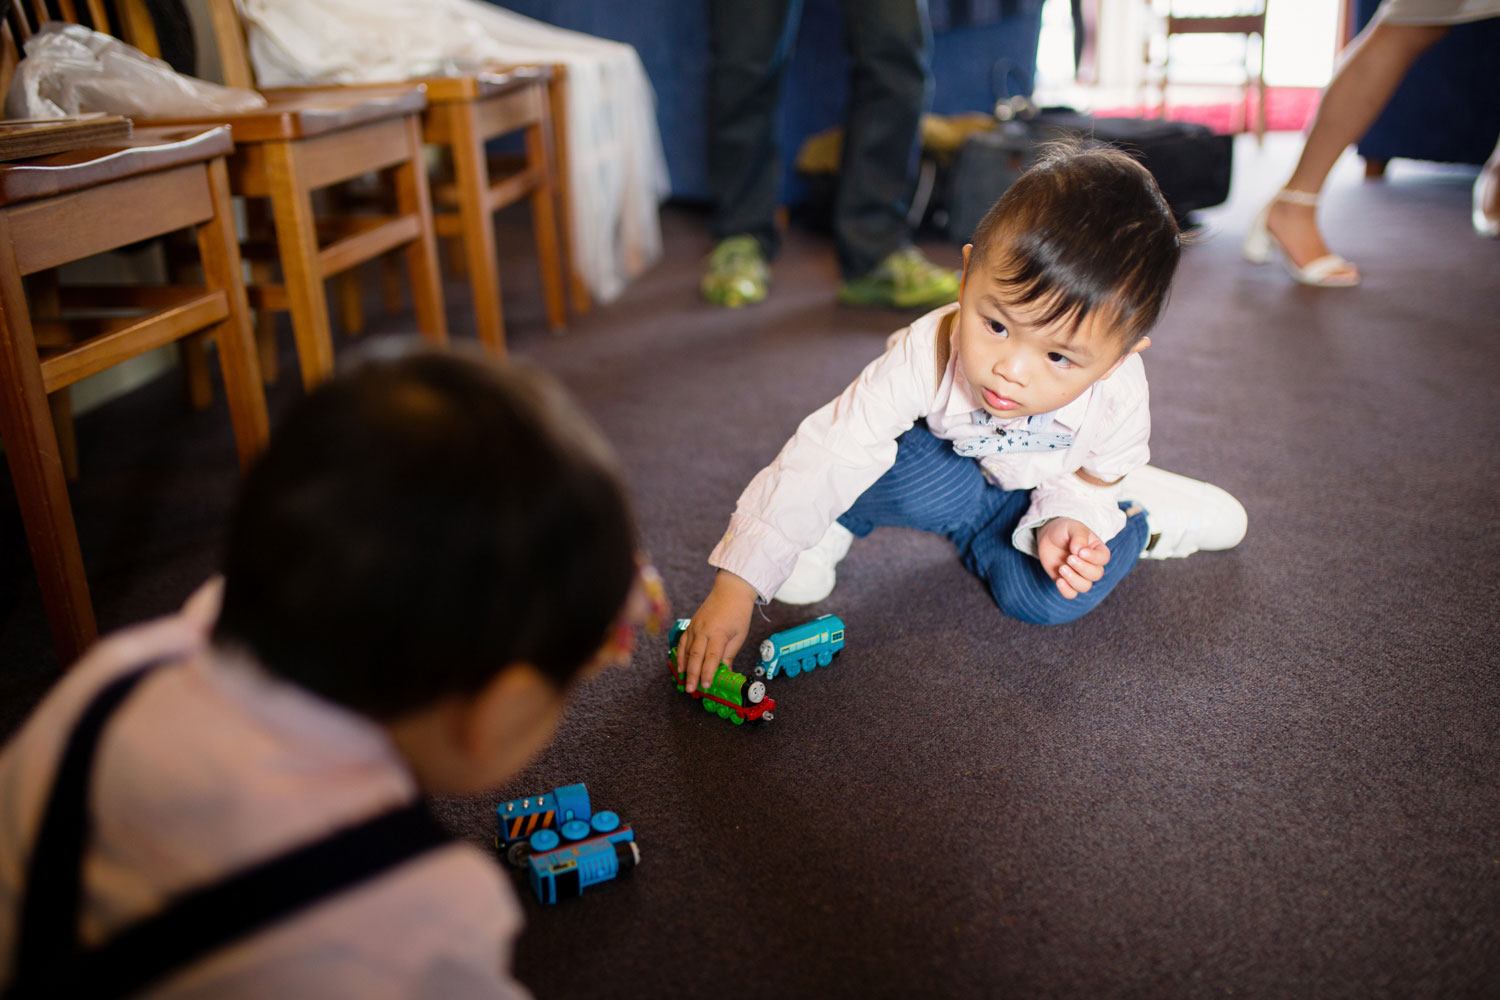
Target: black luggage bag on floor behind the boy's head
[{"x": 1190, "y": 163}]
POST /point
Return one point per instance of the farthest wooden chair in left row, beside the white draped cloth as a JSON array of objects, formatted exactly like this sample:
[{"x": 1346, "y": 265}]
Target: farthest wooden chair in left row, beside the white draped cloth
[{"x": 464, "y": 113}]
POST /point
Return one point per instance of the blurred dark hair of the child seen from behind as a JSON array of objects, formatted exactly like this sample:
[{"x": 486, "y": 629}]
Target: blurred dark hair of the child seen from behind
[{"x": 421, "y": 522}]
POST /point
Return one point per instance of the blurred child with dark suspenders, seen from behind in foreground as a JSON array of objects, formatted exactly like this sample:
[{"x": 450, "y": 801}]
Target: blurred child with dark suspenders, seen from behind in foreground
[{"x": 427, "y": 558}]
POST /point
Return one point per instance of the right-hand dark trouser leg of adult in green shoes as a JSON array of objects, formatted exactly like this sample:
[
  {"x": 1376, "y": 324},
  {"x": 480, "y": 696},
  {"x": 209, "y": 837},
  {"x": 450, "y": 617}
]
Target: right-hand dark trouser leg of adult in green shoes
[{"x": 890, "y": 43}]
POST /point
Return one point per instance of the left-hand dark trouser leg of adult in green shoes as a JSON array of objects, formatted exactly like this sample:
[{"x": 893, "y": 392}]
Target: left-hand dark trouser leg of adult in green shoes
[{"x": 749, "y": 49}]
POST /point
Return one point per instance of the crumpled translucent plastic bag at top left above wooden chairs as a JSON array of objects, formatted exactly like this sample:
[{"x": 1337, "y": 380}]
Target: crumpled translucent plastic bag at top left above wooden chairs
[{"x": 70, "y": 70}]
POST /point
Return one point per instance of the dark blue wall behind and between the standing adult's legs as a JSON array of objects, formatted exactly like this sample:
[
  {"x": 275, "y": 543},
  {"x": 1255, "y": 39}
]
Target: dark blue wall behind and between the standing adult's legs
[{"x": 673, "y": 40}]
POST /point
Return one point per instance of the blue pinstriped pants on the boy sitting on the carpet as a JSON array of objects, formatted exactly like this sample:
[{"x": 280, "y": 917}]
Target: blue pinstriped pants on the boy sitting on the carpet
[{"x": 934, "y": 490}]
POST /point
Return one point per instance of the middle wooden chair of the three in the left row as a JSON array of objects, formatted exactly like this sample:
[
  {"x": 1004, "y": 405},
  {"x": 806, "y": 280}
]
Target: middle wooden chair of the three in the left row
[{"x": 284, "y": 154}]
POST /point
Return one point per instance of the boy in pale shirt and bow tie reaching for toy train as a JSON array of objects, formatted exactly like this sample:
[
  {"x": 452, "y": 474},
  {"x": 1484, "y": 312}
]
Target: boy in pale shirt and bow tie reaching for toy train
[{"x": 1013, "y": 424}]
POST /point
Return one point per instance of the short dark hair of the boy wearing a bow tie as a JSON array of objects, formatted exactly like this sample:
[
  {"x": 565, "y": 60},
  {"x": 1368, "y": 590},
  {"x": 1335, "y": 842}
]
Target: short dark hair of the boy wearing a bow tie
[{"x": 1085, "y": 229}]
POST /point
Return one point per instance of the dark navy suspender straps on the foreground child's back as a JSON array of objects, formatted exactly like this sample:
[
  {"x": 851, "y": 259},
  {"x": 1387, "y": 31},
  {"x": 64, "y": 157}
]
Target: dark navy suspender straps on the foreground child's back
[{"x": 50, "y": 959}]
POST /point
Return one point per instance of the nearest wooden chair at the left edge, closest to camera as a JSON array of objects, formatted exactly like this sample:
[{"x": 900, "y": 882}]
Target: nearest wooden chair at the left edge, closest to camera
[{"x": 71, "y": 206}]
